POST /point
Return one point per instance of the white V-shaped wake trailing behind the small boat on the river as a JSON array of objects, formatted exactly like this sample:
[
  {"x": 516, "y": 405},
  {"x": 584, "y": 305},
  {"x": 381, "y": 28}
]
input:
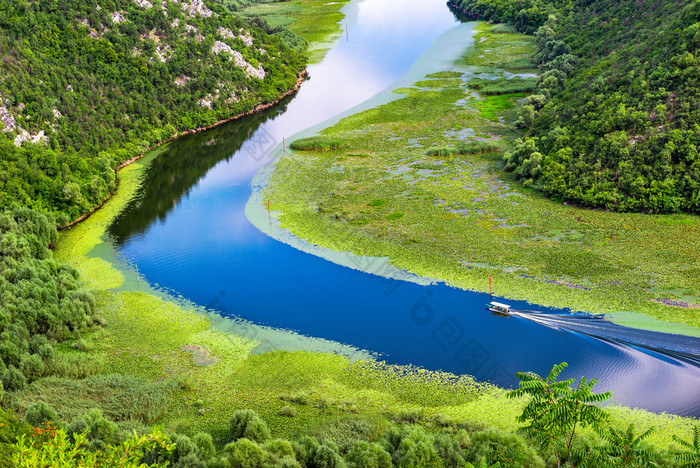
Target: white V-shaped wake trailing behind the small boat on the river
[{"x": 681, "y": 348}]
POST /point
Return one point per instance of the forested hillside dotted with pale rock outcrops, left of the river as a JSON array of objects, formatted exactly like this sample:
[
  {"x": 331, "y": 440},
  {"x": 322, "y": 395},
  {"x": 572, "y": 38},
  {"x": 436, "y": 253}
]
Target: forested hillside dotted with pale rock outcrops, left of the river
[{"x": 86, "y": 84}]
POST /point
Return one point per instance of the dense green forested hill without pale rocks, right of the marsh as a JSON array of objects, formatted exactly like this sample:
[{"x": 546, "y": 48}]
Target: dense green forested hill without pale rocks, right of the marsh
[{"x": 616, "y": 122}]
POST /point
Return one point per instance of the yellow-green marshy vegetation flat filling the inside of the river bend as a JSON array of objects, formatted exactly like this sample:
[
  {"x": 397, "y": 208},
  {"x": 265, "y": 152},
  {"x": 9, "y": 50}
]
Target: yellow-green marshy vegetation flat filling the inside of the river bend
[{"x": 420, "y": 180}]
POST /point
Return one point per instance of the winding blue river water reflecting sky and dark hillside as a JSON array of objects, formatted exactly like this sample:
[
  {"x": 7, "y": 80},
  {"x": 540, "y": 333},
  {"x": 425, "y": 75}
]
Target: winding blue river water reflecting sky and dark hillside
[{"x": 187, "y": 232}]
